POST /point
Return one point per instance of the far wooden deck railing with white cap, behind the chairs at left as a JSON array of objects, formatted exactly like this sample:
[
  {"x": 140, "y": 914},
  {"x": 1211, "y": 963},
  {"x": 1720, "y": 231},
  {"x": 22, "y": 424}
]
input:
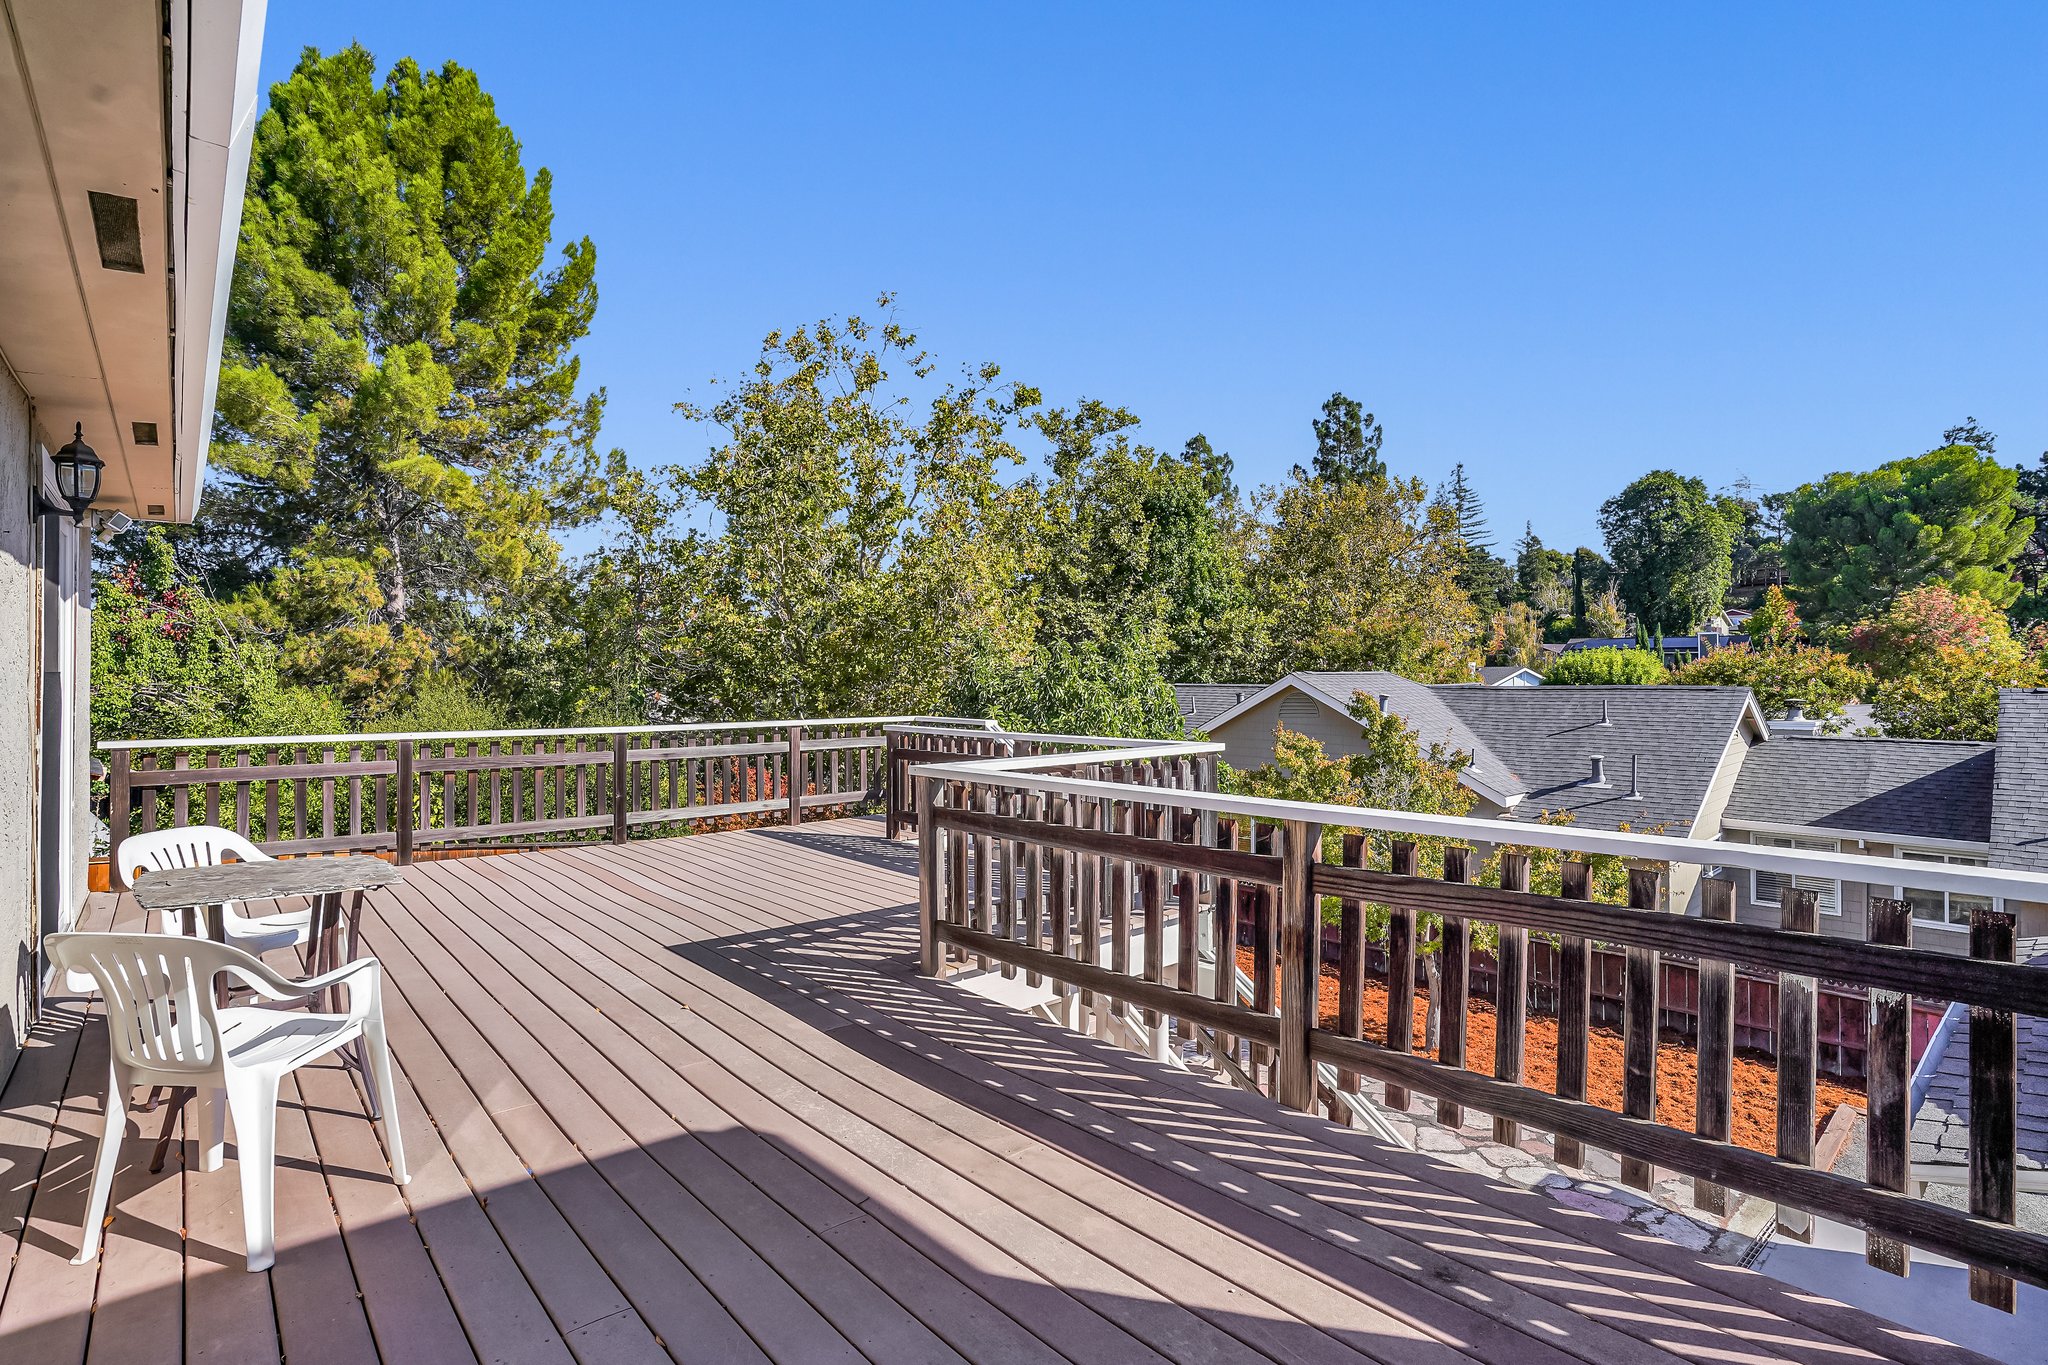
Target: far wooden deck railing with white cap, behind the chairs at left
[{"x": 396, "y": 793}]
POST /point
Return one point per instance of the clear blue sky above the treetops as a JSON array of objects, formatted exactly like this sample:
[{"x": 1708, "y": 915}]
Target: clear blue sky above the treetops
[{"x": 1562, "y": 247}]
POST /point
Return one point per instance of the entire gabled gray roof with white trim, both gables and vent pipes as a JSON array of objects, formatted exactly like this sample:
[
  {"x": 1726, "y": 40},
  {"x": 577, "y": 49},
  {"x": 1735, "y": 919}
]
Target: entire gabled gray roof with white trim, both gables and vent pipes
[{"x": 1533, "y": 748}]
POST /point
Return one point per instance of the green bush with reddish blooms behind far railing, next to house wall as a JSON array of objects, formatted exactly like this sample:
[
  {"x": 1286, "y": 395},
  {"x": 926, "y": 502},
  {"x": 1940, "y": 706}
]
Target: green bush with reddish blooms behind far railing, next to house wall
[{"x": 171, "y": 664}]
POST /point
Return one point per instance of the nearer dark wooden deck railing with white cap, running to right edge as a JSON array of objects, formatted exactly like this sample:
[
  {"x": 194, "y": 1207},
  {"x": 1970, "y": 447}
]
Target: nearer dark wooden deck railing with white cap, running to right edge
[{"x": 1082, "y": 875}]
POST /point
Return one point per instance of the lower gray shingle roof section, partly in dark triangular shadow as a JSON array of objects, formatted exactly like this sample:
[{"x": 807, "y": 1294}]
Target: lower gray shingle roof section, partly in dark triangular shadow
[{"x": 1922, "y": 789}]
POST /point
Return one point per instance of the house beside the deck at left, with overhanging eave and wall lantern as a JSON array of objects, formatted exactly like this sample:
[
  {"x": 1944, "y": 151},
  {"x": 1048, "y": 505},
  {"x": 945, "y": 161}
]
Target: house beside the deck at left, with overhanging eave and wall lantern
[{"x": 128, "y": 136}]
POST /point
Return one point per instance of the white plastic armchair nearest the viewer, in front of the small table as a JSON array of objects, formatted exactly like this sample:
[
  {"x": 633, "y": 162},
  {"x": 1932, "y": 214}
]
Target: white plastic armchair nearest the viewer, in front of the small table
[{"x": 165, "y": 1030}]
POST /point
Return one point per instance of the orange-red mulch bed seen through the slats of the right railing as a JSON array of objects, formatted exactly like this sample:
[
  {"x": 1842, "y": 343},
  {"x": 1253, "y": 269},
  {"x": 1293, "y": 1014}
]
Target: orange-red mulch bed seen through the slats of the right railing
[{"x": 1756, "y": 1080}]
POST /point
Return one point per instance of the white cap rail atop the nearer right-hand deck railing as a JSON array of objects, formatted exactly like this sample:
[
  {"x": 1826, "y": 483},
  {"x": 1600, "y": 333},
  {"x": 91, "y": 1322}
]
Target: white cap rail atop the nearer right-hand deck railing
[{"x": 1019, "y": 775}]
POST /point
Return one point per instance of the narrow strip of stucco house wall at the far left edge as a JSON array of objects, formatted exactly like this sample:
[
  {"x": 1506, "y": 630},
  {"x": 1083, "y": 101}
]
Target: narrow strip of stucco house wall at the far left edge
[{"x": 19, "y": 705}]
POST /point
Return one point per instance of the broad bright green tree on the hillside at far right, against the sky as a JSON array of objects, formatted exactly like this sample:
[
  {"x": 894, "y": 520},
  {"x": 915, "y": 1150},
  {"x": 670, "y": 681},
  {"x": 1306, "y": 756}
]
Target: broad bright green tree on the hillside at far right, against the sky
[{"x": 1943, "y": 519}]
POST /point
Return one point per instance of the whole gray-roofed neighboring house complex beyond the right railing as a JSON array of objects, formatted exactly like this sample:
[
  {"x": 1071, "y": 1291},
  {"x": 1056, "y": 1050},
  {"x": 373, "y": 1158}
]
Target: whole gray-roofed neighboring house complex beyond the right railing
[{"x": 1695, "y": 762}]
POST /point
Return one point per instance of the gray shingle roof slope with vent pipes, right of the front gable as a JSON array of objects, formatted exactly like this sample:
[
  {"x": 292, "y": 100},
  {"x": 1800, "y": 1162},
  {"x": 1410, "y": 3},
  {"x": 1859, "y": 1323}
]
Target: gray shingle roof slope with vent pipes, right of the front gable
[{"x": 1549, "y": 736}]
